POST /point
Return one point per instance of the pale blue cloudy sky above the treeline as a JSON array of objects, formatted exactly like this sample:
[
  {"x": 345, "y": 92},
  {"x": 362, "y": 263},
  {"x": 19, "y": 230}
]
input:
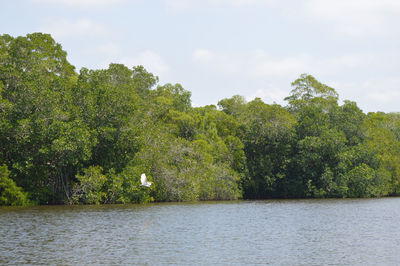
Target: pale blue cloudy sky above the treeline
[{"x": 219, "y": 48}]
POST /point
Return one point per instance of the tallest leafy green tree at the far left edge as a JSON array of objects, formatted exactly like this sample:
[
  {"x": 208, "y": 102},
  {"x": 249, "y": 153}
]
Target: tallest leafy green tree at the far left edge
[{"x": 36, "y": 80}]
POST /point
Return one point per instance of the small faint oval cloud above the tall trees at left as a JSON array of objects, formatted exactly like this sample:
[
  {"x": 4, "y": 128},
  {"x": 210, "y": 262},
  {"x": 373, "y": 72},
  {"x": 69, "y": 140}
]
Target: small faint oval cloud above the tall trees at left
[{"x": 61, "y": 28}]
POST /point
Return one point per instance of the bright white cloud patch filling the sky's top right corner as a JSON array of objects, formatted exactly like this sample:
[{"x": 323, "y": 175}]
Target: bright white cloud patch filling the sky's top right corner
[{"x": 357, "y": 18}]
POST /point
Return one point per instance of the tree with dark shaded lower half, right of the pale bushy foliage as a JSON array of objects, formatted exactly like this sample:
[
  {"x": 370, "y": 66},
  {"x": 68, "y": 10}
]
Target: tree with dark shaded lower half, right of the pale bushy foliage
[{"x": 266, "y": 132}]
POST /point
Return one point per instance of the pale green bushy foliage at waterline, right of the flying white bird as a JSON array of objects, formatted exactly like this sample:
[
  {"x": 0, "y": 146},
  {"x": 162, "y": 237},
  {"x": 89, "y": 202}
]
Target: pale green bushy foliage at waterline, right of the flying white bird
[{"x": 186, "y": 171}]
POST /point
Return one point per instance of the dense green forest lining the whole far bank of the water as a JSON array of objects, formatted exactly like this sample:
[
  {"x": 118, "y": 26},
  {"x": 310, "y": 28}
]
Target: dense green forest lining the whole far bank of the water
[{"x": 85, "y": 138}]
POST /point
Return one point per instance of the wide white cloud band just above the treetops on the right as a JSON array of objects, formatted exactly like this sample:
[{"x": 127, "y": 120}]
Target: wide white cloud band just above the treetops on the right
[{"x": 361, "y": 77}]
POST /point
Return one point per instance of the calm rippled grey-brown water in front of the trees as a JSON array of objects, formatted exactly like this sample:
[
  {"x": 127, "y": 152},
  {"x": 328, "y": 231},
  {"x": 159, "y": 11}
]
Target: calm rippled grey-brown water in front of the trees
[{"x": 276, "y": 232}]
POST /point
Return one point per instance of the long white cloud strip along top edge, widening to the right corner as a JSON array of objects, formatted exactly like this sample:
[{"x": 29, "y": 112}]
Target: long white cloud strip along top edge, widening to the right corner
[{"x": 348, "y": 18}]
